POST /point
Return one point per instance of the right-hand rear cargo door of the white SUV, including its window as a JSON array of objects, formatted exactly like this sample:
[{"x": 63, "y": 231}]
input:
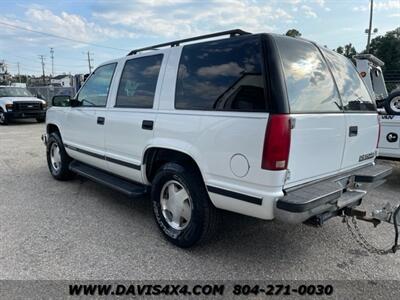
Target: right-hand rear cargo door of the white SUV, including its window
[{"x": 360, "y": 112}]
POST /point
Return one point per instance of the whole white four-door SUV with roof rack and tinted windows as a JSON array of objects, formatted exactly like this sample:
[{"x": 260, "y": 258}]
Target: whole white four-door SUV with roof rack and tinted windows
[{"x": 263, "y": 125}]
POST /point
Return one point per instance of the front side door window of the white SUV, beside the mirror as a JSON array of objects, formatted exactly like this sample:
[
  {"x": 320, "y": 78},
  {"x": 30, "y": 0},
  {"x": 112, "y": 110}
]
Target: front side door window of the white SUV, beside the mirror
[{"x": 95, "y": 91}]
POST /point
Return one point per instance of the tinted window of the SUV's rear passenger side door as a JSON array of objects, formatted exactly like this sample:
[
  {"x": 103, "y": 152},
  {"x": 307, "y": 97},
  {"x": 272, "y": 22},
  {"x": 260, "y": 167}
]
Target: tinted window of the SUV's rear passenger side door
[{"x": 138, "y": 82}]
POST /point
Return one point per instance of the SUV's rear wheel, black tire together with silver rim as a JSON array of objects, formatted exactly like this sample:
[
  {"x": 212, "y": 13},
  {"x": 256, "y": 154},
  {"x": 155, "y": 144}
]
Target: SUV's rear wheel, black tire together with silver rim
[{"x": 181, "y": 205}]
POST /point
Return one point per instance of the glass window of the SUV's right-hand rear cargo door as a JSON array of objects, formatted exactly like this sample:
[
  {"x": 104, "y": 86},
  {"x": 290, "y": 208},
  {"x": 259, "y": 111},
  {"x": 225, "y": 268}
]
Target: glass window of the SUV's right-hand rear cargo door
[{"x": 354, "y": 94}]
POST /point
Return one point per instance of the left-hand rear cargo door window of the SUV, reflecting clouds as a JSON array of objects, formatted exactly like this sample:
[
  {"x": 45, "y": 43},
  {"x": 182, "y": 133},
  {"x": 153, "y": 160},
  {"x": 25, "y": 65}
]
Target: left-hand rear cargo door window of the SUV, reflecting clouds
[{"x": 309, "y": 83}]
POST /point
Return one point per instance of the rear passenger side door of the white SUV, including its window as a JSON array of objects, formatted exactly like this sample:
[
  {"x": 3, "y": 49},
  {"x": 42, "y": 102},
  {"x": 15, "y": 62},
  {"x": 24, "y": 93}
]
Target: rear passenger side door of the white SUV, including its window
[{"x": 130, "y": 120}]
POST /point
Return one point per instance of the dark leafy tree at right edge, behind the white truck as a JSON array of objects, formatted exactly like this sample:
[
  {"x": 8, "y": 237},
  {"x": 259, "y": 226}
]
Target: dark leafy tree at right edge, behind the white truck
[{"x": 387, "y": 49}]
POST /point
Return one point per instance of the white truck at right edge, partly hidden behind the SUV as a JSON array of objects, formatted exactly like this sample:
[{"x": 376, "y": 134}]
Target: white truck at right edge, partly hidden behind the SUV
[{"x": 370, "y": 69}]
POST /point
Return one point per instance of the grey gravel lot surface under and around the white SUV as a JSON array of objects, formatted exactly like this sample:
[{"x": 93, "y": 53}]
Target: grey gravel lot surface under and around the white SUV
[{"x": 82, "y": 230}]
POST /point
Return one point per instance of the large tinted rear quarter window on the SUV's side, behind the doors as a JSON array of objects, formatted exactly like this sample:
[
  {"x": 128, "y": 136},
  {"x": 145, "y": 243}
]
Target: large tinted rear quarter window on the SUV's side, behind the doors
[{"x": 221, "y": 75}]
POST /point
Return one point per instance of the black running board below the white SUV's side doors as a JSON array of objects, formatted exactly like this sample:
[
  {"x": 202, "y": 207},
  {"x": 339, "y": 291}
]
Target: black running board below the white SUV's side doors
[{"x": 129, "y": 188}]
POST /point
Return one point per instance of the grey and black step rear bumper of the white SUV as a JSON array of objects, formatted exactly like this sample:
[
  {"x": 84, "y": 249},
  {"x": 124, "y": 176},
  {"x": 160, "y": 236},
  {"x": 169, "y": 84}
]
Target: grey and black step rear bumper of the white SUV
[{"x": 331, "y": 195}]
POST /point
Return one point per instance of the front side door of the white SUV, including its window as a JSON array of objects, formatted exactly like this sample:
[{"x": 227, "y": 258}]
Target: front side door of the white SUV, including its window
[{"x": 84, "y": 132}]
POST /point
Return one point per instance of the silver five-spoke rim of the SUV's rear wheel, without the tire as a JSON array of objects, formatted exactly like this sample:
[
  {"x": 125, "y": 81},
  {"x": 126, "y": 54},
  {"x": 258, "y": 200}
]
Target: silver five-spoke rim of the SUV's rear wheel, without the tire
[{"x": 176, "y": 205}]
